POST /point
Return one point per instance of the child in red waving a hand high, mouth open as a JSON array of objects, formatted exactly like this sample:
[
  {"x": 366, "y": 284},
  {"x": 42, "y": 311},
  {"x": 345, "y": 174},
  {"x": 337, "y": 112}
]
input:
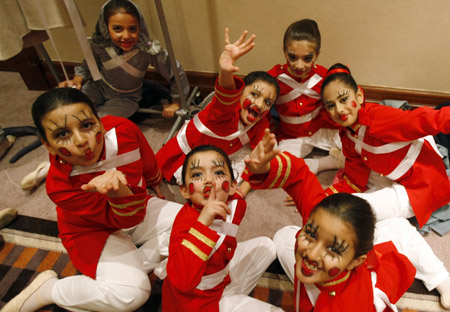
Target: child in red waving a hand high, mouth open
[{"x": 234, "y": 118}]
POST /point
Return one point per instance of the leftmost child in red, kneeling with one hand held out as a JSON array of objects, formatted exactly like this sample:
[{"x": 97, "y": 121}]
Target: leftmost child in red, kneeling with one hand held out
[{"x": 98, "y": 176}]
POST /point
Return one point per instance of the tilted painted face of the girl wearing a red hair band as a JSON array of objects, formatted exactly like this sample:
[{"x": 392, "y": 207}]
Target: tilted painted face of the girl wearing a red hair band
[{"x": 342, "y": 103}]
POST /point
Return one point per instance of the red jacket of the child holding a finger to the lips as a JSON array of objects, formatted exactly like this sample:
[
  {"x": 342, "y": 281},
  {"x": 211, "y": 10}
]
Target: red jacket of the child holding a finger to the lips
[{"x": 197, "y": 269}]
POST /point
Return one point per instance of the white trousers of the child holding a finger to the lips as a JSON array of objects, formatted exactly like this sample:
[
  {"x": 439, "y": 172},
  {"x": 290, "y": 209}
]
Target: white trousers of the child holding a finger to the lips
[{"x": 250, "y": 261}]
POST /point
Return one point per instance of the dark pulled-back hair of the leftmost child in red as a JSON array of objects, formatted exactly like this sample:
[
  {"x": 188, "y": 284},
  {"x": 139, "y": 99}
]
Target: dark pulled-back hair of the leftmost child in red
[{"x": 53, "y": 99}]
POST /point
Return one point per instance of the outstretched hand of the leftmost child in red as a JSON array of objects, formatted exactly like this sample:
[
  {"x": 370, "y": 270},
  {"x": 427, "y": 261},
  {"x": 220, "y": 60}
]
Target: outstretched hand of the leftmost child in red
[{"x": 112, "y": 183}]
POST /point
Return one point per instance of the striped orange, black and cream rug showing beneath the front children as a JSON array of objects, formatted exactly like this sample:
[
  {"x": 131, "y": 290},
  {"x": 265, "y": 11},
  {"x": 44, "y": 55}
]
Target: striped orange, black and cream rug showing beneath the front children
[{"x": 32, "y": 246}]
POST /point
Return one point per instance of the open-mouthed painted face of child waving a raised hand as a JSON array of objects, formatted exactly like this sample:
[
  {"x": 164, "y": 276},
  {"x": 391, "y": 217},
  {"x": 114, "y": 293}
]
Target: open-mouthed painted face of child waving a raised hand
[{"x": 256, "y": 101}]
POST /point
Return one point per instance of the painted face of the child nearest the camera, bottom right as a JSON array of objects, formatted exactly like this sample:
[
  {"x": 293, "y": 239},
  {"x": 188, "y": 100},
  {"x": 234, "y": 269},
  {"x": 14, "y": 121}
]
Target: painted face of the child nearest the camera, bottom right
[{"x": 325, "y": 248}]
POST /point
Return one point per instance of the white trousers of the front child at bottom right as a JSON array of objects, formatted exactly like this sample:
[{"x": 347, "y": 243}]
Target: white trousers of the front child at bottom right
[{"x": 398, "y": 230}]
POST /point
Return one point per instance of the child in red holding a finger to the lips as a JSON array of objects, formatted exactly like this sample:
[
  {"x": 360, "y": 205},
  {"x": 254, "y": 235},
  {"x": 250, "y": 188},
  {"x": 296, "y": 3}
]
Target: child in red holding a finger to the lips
[{"x": 207, "y": 269}]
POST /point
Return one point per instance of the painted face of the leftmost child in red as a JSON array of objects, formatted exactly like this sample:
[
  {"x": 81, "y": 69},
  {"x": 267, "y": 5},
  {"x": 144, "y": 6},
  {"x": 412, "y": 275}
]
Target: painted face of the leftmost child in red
[{"x": 74, "y": 134}]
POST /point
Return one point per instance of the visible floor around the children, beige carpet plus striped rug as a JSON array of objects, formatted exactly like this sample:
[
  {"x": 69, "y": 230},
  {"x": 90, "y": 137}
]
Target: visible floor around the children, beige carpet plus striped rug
[{"x": 35, "y": 226}]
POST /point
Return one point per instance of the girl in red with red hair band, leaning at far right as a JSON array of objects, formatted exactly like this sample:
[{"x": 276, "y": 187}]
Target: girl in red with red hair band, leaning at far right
[{"x": 383, "y": 141}]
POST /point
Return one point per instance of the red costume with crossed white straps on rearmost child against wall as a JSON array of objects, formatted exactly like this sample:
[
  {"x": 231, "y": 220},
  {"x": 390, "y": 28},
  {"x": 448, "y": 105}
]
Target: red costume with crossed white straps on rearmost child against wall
[{"x": 299, "y": 104}]
